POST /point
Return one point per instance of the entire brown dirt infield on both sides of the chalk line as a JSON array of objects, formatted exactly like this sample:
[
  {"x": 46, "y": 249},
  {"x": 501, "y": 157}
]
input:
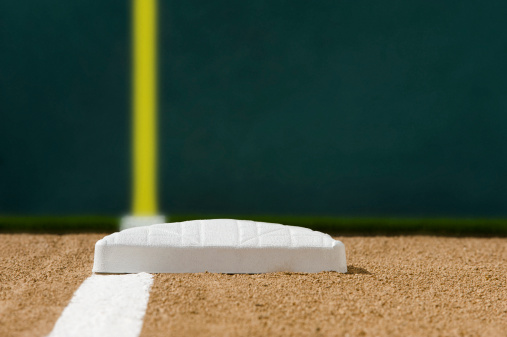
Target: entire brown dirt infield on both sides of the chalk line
[{"x": 413, "y": 285}]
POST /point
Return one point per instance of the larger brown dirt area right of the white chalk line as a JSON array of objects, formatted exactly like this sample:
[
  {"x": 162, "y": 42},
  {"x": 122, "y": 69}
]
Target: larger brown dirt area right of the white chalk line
[{"x": 400, "y": 286}]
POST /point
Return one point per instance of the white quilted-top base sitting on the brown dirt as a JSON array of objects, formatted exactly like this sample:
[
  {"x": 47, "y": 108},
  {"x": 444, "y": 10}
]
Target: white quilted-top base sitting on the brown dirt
[{"x": 219, "y": 246}]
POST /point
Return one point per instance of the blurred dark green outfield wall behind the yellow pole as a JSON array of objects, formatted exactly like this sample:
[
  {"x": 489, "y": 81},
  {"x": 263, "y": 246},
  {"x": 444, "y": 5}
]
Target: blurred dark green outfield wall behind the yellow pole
[{"x": 358, "y": 108}]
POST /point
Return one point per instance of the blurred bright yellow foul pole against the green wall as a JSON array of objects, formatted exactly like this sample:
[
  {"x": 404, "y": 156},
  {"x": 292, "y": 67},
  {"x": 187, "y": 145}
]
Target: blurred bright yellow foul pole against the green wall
[{"x": 144, "y": 107}]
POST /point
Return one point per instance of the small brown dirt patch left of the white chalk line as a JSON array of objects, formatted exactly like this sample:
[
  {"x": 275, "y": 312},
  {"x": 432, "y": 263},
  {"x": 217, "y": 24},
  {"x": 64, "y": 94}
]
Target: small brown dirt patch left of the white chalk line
[{"x": 38, "y": 275}]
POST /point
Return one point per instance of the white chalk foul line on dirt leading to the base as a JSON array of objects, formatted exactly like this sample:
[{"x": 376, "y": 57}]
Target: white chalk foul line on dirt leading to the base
[{"x": 106, "y": 305}]
